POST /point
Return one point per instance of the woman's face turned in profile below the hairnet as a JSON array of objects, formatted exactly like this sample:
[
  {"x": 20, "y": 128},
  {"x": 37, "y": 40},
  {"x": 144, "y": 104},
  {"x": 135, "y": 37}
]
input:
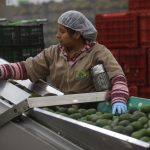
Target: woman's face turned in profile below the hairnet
[{"x": 64, "y": 37}]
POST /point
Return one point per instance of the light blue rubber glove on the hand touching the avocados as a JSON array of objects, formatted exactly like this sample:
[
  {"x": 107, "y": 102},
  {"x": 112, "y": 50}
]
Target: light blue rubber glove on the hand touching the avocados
[{"x": 118, "y": 108}]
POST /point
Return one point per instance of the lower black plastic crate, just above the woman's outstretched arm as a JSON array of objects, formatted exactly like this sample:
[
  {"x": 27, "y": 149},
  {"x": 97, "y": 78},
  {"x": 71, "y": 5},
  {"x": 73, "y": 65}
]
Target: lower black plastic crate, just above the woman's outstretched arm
[{"x": 15, "y": 54}]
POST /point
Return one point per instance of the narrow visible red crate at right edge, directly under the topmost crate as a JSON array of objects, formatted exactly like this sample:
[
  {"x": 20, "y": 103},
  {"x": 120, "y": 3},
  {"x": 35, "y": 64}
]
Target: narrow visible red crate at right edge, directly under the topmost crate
[{"x": 144, "y": 29}]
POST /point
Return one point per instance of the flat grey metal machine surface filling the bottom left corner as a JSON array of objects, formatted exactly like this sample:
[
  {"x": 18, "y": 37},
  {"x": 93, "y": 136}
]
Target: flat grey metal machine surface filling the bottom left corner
[{"x": 30, "y": 135}]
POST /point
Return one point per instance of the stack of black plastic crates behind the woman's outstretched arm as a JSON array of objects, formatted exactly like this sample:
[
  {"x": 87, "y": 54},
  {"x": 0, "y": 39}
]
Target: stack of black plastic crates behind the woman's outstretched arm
[{"x": 19, "y": 41}]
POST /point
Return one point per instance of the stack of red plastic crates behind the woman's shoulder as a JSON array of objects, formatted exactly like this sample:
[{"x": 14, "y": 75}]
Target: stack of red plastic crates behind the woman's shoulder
[{"x": 127, "y": 35}]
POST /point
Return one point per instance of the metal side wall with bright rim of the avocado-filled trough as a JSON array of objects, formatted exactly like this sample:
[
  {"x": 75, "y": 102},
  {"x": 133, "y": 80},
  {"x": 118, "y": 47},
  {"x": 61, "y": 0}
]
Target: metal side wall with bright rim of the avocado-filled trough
[{"x": 85, "y": 135}]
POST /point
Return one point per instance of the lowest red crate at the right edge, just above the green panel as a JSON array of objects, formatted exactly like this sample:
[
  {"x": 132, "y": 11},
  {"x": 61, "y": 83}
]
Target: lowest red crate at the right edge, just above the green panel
[{"x": 144, "y": 91}]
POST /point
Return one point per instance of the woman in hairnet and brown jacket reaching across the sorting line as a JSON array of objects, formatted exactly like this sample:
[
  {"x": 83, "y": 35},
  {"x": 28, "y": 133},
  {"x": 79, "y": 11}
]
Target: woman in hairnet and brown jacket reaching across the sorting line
[{"x": 67, "y": 65}]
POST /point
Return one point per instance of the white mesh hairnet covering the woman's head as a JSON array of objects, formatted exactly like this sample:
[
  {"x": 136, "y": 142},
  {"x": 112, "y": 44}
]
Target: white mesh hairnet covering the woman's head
[{"x": 78, "y": 22}]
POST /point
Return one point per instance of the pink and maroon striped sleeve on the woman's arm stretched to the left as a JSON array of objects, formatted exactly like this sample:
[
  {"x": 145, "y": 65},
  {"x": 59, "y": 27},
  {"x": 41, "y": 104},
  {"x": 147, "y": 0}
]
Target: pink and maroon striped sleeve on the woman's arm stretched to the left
[{"x": 15, "y": 71}]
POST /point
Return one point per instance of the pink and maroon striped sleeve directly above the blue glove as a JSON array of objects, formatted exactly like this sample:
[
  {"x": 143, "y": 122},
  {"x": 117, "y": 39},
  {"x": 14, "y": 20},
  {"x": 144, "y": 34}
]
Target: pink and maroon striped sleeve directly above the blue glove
[{"x": 120, "y": 92}]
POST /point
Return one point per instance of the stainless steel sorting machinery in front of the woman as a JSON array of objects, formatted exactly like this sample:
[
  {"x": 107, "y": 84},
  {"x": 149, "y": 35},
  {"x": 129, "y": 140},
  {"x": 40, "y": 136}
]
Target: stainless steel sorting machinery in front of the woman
[{"x": 25, "y": 125}]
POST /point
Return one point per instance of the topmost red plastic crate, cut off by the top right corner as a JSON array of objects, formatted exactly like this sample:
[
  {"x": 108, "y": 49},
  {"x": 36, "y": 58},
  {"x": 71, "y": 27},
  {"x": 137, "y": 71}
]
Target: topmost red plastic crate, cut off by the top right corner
[{"x": 138, "y": 5}]
